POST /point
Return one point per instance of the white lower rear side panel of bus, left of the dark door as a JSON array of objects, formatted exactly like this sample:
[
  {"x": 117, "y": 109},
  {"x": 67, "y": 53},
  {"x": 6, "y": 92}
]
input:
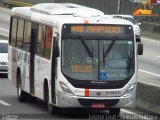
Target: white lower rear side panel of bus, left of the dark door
[{"x": 19, "y": 60}]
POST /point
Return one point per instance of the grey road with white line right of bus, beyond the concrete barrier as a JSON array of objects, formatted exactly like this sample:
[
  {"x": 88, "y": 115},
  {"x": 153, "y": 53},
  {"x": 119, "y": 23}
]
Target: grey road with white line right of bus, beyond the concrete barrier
[{"x": 149, "y": 62}]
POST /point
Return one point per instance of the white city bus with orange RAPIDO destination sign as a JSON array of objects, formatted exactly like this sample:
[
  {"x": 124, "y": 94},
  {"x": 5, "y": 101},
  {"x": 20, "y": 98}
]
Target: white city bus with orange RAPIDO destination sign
[{"x": 71, "y": 56}]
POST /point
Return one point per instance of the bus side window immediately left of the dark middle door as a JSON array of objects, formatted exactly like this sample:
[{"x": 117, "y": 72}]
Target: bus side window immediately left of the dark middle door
[{"x": 27, "y": 36}]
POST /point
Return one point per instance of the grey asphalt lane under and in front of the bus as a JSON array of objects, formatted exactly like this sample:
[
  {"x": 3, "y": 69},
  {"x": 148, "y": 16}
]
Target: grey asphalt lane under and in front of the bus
[{"x": 11, "y": 107}]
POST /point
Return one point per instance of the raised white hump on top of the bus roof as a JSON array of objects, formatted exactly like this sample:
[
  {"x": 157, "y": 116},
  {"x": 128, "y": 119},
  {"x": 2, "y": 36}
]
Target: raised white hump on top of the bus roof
[{"x": 65, "y": 9}]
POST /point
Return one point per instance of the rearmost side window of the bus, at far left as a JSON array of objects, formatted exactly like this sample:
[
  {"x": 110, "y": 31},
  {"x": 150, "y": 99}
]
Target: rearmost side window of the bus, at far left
[{"x": 14, "y": 31}]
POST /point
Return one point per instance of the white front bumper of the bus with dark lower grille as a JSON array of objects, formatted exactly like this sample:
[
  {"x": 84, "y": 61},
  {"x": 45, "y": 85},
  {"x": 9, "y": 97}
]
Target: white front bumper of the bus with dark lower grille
[{"x": 66, "y": 101}]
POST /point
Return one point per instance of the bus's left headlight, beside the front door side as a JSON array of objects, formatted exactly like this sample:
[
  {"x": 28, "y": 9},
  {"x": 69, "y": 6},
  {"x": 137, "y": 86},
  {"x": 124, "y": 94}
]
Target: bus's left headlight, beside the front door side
[{"x": 66, "y": 89}]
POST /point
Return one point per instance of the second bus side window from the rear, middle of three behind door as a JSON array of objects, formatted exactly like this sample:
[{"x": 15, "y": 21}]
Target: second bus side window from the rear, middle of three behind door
[{"x": 20, "y": 33}]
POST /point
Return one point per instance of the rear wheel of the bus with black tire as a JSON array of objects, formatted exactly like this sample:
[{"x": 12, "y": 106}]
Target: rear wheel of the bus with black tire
[{"x": 22, "y": 96}]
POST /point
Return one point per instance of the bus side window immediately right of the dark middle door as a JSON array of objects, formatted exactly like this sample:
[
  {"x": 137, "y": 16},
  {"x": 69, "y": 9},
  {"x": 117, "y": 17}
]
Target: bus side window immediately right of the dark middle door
[{"x": 41, "y": 39}]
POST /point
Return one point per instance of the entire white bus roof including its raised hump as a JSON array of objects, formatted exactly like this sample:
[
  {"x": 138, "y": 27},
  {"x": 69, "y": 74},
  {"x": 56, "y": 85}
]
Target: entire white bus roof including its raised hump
[{"x": 61, "y": 13}]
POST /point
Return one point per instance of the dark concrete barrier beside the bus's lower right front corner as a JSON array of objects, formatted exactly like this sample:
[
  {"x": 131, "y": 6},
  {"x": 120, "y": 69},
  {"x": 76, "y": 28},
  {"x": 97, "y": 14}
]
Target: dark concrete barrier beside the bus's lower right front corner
[{"x": 148, "y": 97}]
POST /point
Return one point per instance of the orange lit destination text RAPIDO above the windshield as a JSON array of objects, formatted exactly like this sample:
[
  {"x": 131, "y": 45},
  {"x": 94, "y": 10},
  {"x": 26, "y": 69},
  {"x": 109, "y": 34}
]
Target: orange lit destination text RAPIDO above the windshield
[{"x": 96, "y": 29}]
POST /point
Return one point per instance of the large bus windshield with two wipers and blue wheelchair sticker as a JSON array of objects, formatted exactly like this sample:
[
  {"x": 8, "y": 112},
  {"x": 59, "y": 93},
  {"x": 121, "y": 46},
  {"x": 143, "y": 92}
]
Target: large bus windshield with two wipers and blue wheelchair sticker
[{"x": 96, "y": 59}]
